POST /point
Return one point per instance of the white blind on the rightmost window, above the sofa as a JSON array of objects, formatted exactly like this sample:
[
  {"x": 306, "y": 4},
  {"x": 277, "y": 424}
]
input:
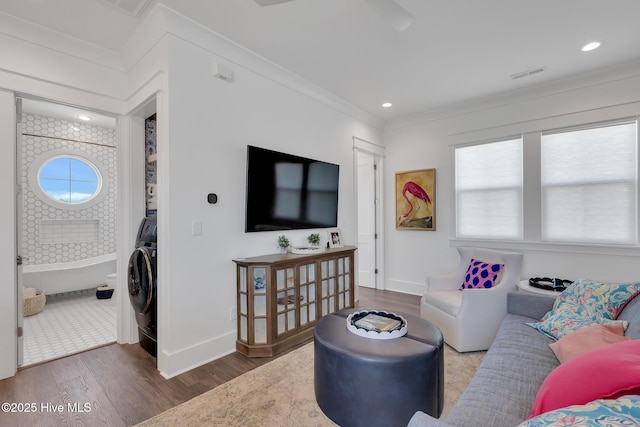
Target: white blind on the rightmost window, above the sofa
[{"x": 589, "y": 184}]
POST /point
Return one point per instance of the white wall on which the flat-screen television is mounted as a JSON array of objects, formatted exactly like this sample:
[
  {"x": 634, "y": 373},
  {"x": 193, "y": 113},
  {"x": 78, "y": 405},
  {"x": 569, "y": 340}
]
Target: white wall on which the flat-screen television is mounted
[{"x": 211, "y": 122}]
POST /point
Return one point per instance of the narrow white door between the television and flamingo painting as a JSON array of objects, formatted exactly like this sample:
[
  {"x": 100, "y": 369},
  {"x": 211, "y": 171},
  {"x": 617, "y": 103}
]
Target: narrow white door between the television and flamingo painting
[{"x": 366, "y": 191}]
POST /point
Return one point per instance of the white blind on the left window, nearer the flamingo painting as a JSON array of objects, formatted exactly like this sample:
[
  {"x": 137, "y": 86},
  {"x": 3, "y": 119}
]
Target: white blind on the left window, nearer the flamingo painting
[{"x": 489, "y": 190}]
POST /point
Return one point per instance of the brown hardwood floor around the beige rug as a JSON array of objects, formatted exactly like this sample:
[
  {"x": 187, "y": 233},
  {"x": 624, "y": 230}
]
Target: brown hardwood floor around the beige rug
[{"x": 120, "y": 383}]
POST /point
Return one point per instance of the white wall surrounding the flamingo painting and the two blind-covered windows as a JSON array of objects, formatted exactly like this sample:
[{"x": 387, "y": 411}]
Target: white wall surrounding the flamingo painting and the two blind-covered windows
[{"x": 424, "y": 141}]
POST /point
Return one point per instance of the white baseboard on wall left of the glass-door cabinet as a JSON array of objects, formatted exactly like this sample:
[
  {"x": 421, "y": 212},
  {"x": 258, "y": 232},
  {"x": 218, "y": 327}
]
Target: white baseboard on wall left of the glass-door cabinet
[{"x": 176, "y": 363}]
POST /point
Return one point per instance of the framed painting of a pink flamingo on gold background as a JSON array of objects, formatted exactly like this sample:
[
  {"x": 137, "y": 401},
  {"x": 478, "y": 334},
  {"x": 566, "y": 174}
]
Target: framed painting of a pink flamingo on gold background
[{"x": 416, "y": 200}]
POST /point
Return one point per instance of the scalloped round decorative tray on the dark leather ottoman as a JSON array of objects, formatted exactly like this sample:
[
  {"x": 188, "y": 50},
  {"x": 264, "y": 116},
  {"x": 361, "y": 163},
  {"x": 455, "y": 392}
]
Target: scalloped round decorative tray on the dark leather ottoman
[{"x": 377, "y": 324}]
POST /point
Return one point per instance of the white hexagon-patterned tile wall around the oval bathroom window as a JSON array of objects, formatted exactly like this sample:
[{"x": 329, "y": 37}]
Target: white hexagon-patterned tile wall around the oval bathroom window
[{"x": 54, "y": 235}]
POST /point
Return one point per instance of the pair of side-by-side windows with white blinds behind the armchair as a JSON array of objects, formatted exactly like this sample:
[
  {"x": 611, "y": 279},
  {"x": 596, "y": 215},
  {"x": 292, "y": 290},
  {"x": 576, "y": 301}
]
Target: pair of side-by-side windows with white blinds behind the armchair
[{"x": 569, "y": 189}]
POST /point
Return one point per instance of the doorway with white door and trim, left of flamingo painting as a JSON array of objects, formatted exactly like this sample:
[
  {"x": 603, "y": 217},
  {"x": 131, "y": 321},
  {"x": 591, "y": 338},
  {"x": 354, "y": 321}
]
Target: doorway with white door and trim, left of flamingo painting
[{"x": 368, "y": 197}]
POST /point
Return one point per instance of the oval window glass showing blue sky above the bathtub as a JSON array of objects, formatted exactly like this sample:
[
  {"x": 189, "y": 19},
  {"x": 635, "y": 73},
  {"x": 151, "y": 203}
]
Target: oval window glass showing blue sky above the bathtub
[{"x": 69, "y": 179}]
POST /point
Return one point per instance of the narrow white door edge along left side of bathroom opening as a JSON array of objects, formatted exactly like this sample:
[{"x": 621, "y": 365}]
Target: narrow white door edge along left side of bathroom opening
[{"x": 19, "y": 248}]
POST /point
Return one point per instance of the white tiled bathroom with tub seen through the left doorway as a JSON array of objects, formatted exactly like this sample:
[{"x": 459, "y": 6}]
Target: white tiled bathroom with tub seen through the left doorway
[{"x": 67, "y": 229}]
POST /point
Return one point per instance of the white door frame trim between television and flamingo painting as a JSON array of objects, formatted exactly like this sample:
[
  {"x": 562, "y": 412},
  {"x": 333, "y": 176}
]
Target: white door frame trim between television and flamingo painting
[{"x": 378, "y": 153}]
